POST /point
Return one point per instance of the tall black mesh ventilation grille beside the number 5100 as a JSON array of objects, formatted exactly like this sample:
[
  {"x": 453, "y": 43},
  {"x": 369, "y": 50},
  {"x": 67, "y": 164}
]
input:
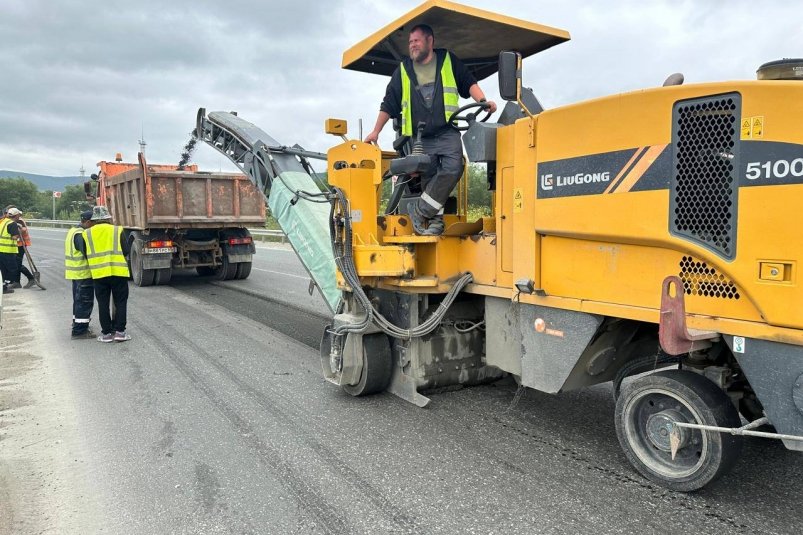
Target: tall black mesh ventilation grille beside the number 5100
[{"x": 704, "y": 183}]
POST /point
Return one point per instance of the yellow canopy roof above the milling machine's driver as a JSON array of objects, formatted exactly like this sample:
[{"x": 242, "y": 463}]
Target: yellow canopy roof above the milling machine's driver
[{"x": 474, "y": 35}]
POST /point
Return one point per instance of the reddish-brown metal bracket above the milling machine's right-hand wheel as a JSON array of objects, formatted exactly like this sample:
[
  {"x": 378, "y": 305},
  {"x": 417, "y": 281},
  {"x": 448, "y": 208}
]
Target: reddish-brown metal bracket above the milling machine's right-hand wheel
[{"x": 675, "y": 338}]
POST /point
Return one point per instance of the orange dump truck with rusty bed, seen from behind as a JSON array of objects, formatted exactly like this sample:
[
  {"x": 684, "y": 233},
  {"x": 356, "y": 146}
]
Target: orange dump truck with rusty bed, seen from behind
[{"x": 181, "y": 218}]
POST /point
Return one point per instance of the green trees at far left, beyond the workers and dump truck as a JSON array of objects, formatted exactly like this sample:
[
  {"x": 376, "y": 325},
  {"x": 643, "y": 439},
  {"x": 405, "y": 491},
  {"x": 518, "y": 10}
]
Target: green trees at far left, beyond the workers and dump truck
[{"x": 26, "y": 196}]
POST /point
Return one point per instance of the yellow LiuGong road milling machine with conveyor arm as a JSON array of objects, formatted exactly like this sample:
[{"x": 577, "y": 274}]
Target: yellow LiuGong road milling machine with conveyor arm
[{"x": 647, "y": 239}]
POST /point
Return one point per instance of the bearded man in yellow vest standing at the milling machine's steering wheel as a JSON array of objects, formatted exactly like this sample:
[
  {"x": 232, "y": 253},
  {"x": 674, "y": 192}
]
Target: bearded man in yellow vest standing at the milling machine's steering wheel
[{"x": 426, "y": 88}]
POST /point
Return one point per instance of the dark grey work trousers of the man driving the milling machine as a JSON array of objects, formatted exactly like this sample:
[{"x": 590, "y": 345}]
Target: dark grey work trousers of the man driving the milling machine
[{"x": 445, "y": 169}]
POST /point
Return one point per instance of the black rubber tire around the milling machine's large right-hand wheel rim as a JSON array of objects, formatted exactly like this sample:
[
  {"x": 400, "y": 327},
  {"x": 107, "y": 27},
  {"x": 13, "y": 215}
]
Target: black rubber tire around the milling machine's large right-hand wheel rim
[{"x": 714, "y": 408}]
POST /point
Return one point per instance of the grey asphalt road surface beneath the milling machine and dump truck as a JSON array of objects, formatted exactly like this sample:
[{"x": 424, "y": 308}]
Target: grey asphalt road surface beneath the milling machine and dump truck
[{"x": 215, "y": 418}]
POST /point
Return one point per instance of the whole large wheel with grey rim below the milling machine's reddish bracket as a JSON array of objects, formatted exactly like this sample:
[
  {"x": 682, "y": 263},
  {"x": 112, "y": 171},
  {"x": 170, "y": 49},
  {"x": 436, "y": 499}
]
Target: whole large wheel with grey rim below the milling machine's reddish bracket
[{"x": 644, "y": 413}]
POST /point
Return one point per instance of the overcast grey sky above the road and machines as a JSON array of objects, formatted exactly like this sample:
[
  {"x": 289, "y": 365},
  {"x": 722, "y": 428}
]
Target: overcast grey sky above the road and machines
[{"x": 80, "y": 79}]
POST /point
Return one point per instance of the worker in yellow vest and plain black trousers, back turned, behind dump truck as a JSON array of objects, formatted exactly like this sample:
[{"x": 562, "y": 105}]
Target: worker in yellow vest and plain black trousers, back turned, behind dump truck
[{"x": 106, "y": 252}]
